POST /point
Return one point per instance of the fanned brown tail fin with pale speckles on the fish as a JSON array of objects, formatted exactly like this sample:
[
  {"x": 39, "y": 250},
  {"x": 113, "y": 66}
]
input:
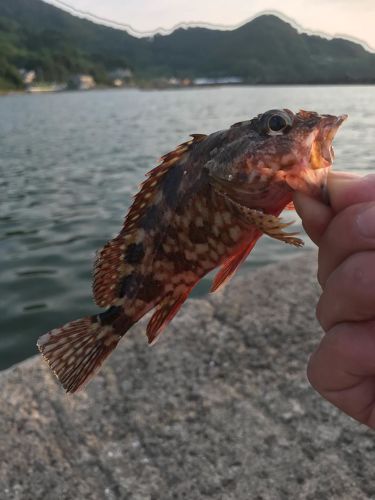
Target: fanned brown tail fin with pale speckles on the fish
[{"x": 76, "y": 351}]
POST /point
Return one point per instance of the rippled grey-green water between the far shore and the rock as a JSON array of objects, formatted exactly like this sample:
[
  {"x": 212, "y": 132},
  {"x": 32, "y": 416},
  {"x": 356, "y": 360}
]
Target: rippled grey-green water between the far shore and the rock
[{"x": 69, "y": 163}]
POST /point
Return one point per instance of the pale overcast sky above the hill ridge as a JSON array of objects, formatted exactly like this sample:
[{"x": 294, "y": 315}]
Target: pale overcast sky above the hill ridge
[{"x": 353, "y": 18}]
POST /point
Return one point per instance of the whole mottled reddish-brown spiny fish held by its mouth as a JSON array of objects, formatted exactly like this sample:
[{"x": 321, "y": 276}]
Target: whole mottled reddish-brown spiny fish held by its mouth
[{"x": 203, "y": 207}]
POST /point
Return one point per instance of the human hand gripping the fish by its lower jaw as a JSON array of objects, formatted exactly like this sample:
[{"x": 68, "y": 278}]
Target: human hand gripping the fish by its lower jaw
[{"x": 342, "y": 369}]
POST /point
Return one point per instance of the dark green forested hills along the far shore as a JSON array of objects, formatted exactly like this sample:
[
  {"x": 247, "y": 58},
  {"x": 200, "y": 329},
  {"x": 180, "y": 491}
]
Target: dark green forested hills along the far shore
[{"x": 39, "y": 36}]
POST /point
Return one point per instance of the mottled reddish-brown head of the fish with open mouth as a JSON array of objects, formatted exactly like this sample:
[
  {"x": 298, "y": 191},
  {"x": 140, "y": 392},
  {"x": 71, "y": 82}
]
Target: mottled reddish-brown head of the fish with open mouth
[{"x": 277, "y": 152}]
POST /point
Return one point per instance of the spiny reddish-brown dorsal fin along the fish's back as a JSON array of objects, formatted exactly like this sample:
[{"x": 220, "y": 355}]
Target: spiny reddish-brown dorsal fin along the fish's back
[{"x": 110, "y": 266}]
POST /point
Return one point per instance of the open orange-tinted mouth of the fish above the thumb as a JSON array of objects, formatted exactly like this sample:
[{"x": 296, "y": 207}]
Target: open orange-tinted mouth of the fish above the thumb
[{"x": 322, "y": 152}]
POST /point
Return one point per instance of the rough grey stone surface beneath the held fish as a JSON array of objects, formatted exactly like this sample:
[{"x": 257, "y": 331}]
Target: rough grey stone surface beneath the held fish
[{"x": 220, "y": 408}]
